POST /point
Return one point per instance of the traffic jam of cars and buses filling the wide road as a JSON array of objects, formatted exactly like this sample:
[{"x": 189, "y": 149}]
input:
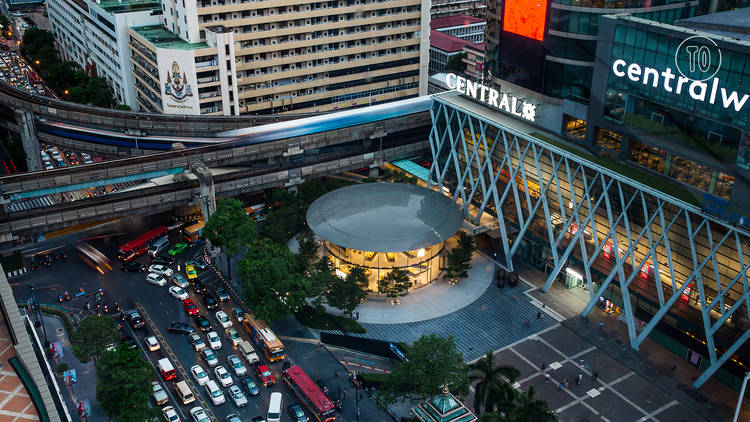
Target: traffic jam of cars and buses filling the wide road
[{"x": 212, "y": 359}]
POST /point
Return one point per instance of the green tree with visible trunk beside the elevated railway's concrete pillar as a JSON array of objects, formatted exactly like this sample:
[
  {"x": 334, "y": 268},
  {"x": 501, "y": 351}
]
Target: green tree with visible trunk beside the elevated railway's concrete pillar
[{"x": 229, "y": 228}]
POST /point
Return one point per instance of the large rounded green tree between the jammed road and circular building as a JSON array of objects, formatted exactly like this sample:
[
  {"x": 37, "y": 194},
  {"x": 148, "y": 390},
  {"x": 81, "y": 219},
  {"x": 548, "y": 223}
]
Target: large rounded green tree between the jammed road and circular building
[{"x": 273, "y": 287}]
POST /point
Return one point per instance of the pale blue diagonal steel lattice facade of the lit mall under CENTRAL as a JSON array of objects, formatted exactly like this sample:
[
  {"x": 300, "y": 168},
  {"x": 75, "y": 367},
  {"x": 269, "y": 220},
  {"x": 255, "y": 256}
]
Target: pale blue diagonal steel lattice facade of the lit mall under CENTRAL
[{"x": 623, "y": 234}]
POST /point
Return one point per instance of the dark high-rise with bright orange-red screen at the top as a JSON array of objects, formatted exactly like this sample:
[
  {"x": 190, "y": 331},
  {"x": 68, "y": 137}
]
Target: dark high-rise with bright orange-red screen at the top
[{"x": 557, "y": 39}]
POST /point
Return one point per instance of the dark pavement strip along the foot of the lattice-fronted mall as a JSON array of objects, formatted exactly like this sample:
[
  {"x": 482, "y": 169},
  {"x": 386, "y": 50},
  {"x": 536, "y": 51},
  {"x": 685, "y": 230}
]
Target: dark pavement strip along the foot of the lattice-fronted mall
[{"x": 651, "y": 361}]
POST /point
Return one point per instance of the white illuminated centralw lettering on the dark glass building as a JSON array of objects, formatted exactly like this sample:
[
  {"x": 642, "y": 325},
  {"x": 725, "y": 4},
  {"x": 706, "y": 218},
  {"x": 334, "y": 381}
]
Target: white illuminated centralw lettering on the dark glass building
[{"x": 679, "y": 85}]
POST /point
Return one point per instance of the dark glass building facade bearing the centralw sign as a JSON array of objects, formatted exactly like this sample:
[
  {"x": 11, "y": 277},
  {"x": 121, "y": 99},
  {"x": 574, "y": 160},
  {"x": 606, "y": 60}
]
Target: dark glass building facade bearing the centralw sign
[{"x": 651, "y": 109}]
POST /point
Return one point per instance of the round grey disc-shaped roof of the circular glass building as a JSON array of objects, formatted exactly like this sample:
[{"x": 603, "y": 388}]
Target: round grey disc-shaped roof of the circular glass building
[{"x": 384, "y": 217}]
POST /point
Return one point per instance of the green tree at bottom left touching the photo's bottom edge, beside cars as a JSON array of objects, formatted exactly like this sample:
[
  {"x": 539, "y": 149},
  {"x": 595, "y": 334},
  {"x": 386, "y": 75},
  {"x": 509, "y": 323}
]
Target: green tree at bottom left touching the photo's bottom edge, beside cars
[{"x": 123, "y": 385}]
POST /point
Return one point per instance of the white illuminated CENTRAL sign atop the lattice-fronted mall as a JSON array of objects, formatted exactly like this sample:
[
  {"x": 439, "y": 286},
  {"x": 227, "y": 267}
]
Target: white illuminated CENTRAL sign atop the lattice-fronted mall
[{"x": 501, "y": 101}]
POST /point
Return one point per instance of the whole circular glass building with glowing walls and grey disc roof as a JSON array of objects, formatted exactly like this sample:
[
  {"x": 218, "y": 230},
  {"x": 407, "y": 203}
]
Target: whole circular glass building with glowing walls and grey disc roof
[{"x": 382, "y": 226}]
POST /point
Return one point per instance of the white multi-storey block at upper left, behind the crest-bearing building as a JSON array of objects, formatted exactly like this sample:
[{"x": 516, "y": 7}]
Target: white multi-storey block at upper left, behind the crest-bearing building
[{"x": 93, "y": 34}]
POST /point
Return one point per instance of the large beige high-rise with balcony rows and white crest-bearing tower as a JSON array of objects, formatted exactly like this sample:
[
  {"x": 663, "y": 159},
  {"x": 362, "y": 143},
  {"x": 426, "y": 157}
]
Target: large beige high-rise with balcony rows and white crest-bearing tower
[{"x": 230, "y": 57}]
